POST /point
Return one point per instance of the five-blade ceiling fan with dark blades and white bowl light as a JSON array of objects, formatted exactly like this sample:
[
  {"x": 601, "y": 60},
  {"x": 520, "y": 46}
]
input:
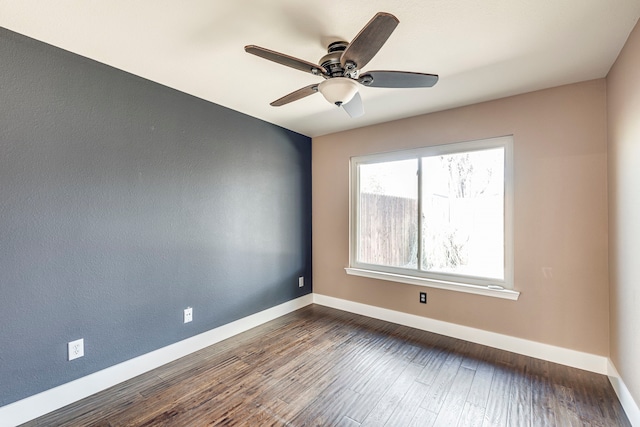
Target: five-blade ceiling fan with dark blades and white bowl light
[{"x": 341, "y": 68}]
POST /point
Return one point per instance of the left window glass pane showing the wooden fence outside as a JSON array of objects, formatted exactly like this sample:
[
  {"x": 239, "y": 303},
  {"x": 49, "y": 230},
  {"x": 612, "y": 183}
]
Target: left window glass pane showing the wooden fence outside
[{"x": 388, "y": 214}]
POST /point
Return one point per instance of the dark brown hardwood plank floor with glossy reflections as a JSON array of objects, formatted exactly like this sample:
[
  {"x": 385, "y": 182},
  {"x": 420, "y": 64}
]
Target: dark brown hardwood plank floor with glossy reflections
[{"x": 323, "y": 367}]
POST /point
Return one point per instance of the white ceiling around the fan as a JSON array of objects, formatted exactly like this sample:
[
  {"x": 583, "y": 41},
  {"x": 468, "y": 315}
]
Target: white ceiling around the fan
[{"x": 482, "y": 49}]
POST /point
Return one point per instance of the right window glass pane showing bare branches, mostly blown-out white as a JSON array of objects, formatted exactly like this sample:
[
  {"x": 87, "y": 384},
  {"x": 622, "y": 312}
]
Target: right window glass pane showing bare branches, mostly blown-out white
[{"x": 463, "y": 213}]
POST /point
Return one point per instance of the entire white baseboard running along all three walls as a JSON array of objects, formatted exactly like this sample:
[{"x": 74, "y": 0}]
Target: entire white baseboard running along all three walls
[{"x": 42, "y": 403}]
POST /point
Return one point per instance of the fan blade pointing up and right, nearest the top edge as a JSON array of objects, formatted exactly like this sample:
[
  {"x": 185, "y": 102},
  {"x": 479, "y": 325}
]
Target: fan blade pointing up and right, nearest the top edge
[{"x": 369, "y": 40}]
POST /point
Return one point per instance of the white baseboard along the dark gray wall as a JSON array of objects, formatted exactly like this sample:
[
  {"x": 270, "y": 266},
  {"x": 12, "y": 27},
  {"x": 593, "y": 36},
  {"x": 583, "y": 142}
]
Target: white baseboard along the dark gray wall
[{"x": 42, "y": 403}]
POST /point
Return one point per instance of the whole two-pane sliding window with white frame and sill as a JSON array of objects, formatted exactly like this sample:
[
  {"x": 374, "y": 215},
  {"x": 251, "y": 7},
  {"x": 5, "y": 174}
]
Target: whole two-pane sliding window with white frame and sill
[{"x": 436, "y": 216}]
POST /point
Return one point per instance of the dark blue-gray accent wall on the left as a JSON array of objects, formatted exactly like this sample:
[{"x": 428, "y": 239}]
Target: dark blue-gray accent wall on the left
[{"x": 122, "y": 202}]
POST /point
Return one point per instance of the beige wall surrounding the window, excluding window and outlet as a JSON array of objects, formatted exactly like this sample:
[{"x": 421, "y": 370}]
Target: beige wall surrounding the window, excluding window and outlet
[{"x": 560, "y": 215}]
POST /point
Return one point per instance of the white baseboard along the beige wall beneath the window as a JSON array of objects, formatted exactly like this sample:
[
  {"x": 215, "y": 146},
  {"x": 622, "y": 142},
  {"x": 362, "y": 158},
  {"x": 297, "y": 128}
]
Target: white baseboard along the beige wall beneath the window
[{"x": 563, "y": 356}]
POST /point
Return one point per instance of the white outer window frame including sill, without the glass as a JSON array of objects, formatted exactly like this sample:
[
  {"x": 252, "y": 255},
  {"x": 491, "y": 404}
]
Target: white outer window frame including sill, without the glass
[{"x": 475, "y": 285}]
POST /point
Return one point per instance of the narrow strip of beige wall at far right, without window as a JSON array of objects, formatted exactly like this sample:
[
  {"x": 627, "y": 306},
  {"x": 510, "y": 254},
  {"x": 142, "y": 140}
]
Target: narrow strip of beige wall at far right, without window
[{"x": 623, "y": 89}]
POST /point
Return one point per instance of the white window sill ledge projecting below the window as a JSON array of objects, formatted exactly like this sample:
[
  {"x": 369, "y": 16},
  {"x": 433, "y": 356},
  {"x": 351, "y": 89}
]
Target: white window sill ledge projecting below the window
[{"x": 438, "y": 284}]
